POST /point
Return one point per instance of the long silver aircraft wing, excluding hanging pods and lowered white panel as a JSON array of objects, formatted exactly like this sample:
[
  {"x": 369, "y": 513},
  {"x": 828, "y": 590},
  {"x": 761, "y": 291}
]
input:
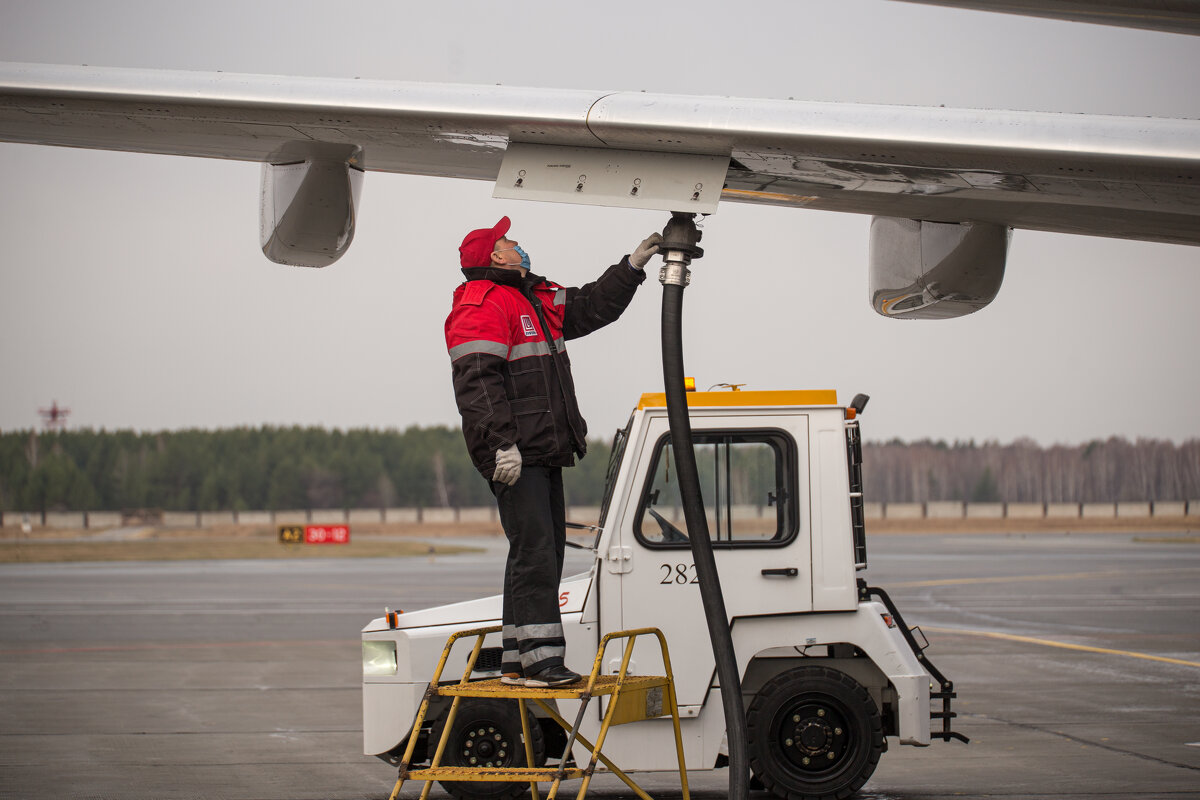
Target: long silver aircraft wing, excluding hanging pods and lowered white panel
[{"x": 1137, "y": 178}]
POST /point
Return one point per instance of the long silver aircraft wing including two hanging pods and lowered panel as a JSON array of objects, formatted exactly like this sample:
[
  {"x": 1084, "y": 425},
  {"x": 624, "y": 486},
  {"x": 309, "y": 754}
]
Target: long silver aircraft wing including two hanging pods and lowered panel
[{"x": 950, "y": 179}]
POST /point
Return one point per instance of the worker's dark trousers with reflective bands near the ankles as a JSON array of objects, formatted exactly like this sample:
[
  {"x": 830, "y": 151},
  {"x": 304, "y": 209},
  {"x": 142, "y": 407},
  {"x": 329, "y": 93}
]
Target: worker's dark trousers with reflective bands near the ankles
[{"x": 535, "y": 519}]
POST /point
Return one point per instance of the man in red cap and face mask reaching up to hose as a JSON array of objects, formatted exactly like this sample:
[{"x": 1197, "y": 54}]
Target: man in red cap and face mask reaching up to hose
[{"x": 507, "y": 336}]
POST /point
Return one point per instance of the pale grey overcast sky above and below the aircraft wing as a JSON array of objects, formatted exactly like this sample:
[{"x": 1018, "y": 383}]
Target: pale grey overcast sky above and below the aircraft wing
[{"x": 133, "y": 290}]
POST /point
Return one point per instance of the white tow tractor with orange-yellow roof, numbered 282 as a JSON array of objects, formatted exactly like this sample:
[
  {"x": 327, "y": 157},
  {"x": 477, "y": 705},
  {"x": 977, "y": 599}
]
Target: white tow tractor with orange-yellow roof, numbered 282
[{"x": 830, "y": 671}]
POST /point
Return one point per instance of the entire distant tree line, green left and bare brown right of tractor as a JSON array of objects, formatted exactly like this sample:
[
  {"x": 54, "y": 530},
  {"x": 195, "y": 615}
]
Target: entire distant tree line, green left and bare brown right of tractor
[{"x": 278, "y": 468}]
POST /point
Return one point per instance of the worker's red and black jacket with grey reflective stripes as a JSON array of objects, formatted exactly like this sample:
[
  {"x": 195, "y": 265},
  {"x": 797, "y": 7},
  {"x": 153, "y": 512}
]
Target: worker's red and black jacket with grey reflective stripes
[{"x": 512, "y": 375}]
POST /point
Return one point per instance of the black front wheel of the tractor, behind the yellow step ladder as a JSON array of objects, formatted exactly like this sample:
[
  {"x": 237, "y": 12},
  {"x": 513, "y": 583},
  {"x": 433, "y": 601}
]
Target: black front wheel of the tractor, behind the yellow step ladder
[{"x": 500, "y": 745}]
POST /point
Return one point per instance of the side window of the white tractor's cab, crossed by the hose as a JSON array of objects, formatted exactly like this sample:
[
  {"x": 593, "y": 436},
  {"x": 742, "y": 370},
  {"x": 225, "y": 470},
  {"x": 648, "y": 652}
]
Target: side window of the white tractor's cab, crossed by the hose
[{"x": 747, "y": 479}]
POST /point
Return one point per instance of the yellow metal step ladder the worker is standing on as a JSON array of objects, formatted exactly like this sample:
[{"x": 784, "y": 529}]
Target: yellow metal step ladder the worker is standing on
[{"x": 632, "y": 699}]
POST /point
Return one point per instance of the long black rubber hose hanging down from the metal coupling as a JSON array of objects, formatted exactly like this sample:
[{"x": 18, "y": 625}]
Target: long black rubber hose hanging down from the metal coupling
[{"x": 701, "y": 546}]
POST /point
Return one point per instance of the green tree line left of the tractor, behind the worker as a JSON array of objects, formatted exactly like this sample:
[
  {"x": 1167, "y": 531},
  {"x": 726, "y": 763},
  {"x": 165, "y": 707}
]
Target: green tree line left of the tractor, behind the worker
[{"x": 242, "y": 470}]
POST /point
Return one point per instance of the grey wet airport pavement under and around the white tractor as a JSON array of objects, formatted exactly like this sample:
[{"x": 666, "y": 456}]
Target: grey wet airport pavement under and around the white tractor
[{"x": 1077, "y": 659}]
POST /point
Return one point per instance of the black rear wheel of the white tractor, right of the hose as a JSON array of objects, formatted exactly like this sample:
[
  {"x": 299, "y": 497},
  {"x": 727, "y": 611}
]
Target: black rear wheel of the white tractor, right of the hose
[{"x": 814, "y": 733}]
